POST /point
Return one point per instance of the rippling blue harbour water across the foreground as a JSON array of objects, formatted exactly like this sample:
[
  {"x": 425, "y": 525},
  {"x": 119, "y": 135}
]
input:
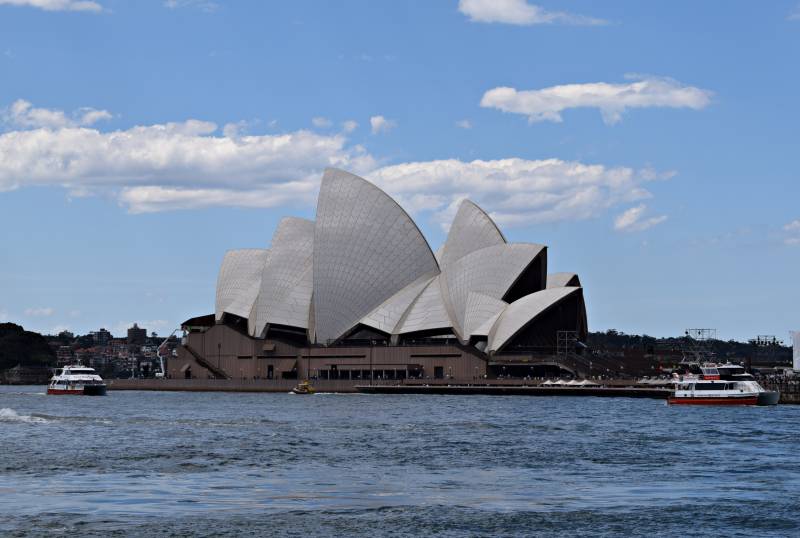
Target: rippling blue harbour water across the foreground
[{"x": 163, "y": 464}]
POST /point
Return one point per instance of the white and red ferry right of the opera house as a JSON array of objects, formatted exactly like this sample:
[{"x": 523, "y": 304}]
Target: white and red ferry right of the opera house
[{"x": 725, "y": 384}]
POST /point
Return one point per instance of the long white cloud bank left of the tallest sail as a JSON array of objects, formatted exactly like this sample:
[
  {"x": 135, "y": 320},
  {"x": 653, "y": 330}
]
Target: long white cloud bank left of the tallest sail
[{"x": 176, "y": 165}]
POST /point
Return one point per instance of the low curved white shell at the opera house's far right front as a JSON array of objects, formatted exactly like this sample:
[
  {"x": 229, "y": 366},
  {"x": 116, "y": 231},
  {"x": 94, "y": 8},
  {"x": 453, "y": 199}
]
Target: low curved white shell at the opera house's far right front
[{"x": 522, "y": 312}]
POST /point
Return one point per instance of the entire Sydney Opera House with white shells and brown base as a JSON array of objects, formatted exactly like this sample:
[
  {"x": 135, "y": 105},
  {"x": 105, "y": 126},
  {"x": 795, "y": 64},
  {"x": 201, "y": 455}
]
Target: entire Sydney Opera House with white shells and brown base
[{"x": 359, "y": 294}]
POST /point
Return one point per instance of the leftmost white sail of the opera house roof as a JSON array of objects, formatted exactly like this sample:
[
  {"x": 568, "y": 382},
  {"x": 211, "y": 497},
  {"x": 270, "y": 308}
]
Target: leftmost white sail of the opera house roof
[{"x": 238, "y": 282}]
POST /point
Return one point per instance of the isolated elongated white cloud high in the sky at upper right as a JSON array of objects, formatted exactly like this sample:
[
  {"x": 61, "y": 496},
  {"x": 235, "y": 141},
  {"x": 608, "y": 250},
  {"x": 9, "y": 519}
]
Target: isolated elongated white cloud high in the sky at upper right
[{"x": 611, "y": 99}]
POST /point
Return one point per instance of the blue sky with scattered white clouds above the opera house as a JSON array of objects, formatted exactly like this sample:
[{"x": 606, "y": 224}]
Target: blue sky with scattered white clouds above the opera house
[{"x": 651, "y": 145}]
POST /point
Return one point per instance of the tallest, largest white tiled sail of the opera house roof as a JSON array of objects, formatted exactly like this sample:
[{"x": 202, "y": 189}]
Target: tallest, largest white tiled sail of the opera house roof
[{"x": 366, "y": 249}]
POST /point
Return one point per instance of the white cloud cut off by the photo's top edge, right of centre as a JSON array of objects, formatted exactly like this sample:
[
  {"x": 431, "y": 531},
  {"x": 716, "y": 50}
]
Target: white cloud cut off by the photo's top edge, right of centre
[{"x": 519, "y": 12}]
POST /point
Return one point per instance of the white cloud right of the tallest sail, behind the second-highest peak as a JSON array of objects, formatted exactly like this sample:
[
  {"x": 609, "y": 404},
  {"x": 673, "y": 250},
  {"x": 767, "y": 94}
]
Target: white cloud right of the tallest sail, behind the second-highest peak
[{"x": 515, "y": 191}]
